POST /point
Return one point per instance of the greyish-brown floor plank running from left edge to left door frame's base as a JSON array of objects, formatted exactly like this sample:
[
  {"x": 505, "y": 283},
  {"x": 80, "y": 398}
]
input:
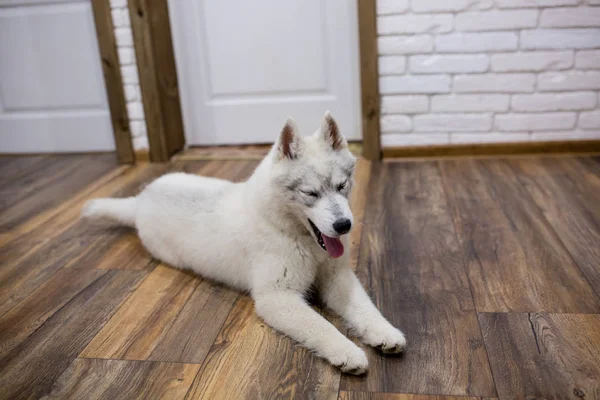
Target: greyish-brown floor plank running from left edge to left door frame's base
[{"x": 50, "y": 186}]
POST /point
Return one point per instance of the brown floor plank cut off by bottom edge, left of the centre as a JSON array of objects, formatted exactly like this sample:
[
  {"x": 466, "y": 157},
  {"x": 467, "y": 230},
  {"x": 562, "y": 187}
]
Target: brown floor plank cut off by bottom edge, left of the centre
[{"x": 95, "y": 379}]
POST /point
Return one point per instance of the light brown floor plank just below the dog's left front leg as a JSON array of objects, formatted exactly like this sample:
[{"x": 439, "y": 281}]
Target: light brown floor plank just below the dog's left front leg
[{"x": 273, "y": 367}]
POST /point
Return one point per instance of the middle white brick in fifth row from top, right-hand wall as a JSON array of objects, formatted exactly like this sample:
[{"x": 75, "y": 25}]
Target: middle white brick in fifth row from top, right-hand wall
[{"x": 494, "y": 83}]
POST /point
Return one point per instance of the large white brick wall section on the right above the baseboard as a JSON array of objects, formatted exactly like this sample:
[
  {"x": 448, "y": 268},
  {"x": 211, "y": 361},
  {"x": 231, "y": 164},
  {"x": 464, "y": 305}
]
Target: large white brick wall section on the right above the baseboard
[{"x": 488, "y": 71}]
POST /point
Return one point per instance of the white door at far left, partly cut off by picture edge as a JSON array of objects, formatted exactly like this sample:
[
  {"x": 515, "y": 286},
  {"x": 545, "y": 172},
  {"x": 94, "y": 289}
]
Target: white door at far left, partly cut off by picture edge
[{"x": 52, "y": 95}]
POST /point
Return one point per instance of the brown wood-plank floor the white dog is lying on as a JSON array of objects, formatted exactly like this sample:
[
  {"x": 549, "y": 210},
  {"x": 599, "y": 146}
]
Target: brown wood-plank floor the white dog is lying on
[{"x": 490, "y": 267}]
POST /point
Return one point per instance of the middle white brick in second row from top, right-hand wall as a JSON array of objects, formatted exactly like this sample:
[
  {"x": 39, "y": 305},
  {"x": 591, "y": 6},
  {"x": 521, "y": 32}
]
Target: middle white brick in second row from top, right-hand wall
[{"x": 495, "y": 20}]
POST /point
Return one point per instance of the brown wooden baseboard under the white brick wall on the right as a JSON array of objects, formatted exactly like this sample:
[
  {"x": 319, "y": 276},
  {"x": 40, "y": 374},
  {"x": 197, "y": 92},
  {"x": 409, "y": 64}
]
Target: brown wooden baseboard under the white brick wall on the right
[{"x": 496, "y": 149}]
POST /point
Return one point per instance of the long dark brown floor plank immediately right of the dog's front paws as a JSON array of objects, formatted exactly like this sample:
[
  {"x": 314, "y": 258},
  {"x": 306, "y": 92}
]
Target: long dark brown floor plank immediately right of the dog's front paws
[{"x": 411, "y": 262}]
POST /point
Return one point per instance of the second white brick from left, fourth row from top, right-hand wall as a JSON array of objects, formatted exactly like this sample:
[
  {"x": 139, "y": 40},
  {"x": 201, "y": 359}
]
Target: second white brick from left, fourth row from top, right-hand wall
[{"x": 449, "y": 63}]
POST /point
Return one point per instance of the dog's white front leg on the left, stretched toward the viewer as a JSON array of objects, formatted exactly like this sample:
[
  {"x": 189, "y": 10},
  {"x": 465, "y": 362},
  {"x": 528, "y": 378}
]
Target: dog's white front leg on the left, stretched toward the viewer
[{"x": 288, "y": 312}]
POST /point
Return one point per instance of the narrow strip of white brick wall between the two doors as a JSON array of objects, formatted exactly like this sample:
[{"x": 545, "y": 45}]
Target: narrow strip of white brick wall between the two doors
[{"x": 133, "y": 96}]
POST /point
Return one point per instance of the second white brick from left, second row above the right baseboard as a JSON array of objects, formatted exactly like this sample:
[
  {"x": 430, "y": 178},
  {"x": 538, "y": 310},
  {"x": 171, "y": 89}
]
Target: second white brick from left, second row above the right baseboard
[{"x": 452, "y": 122}]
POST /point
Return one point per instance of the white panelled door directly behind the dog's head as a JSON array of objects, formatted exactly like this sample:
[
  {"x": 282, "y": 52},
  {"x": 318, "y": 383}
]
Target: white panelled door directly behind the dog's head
[{"x": 243, "y": 66}]
